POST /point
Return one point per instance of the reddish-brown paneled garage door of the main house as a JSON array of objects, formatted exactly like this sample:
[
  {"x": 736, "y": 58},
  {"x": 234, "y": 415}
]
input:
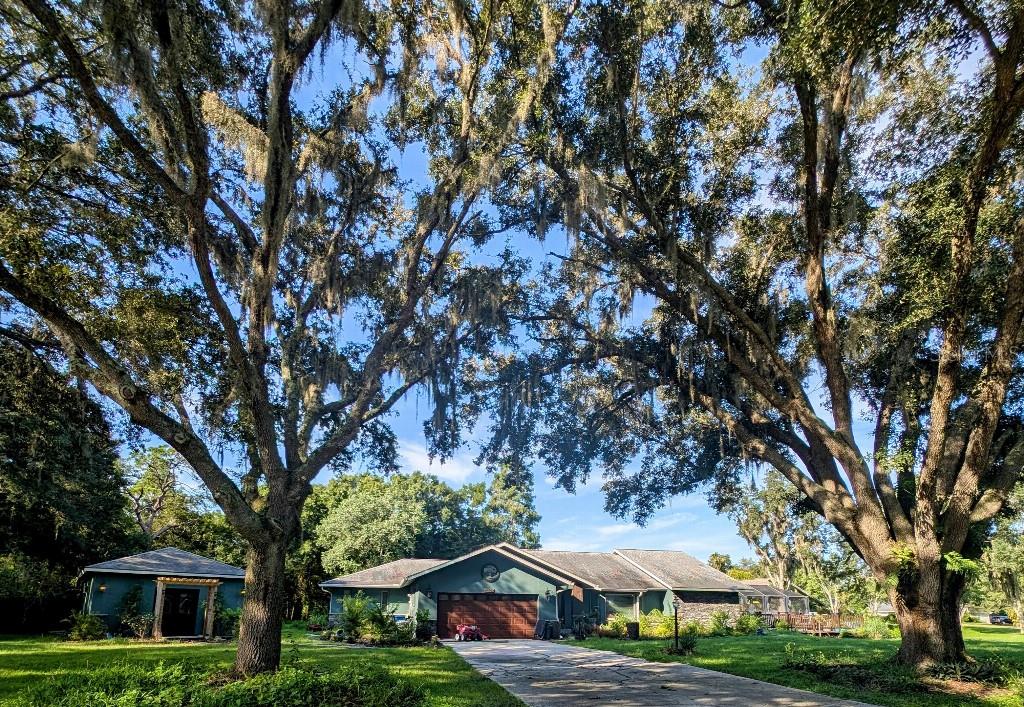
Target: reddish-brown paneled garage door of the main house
[{"x": 499, "y": 616}]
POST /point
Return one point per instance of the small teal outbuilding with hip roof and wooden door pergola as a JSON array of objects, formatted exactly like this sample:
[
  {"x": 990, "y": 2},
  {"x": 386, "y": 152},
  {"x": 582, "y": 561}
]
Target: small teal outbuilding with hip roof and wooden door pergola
[{"x": 180, "y": 589}]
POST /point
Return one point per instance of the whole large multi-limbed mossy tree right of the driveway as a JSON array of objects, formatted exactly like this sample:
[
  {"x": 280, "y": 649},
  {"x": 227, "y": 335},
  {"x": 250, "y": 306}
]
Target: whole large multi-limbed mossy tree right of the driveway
[{"x": 752, "y": 266}]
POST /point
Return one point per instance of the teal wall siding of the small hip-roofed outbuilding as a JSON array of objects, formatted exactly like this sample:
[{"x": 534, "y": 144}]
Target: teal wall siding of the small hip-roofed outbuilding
[{"x": 108, "y": 604}]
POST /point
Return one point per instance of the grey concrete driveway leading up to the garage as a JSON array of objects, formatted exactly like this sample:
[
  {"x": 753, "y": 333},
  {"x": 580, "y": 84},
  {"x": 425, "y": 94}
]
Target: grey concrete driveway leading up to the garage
[{"x": 544, "y": 675}]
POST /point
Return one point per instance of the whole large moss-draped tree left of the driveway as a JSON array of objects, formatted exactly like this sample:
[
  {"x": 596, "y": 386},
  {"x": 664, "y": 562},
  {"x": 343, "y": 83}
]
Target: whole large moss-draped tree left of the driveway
[{"x": 237, "y": 265}]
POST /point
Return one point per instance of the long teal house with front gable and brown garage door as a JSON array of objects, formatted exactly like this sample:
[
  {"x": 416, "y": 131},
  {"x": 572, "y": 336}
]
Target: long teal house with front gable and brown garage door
[{"x": 506, "y": 591}]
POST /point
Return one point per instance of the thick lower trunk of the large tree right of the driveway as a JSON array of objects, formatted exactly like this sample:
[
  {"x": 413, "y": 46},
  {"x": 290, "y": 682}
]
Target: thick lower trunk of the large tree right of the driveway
[{"x": 928, "y": 612}]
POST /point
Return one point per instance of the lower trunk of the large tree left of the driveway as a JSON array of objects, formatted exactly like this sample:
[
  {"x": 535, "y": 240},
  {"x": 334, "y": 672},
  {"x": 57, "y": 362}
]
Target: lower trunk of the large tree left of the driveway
[{"x": 264, "y": 611}]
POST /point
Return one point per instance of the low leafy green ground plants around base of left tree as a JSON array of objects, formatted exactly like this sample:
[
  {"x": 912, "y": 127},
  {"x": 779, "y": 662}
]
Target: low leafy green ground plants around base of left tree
[{"x": 182, "y": 685}]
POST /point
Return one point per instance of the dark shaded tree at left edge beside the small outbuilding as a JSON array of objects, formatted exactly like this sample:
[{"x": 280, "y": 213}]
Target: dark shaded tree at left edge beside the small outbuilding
[{"x": 62, "y": 503}]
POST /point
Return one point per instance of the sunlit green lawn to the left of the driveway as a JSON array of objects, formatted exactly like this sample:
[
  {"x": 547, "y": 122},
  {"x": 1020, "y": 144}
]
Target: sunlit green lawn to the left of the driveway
[{"x": 448, "y": 680}]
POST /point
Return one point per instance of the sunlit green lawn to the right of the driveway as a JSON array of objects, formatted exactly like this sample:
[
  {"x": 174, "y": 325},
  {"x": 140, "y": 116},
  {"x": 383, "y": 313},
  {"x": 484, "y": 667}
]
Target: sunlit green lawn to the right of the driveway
[{"x": 761, "y": 658}]
